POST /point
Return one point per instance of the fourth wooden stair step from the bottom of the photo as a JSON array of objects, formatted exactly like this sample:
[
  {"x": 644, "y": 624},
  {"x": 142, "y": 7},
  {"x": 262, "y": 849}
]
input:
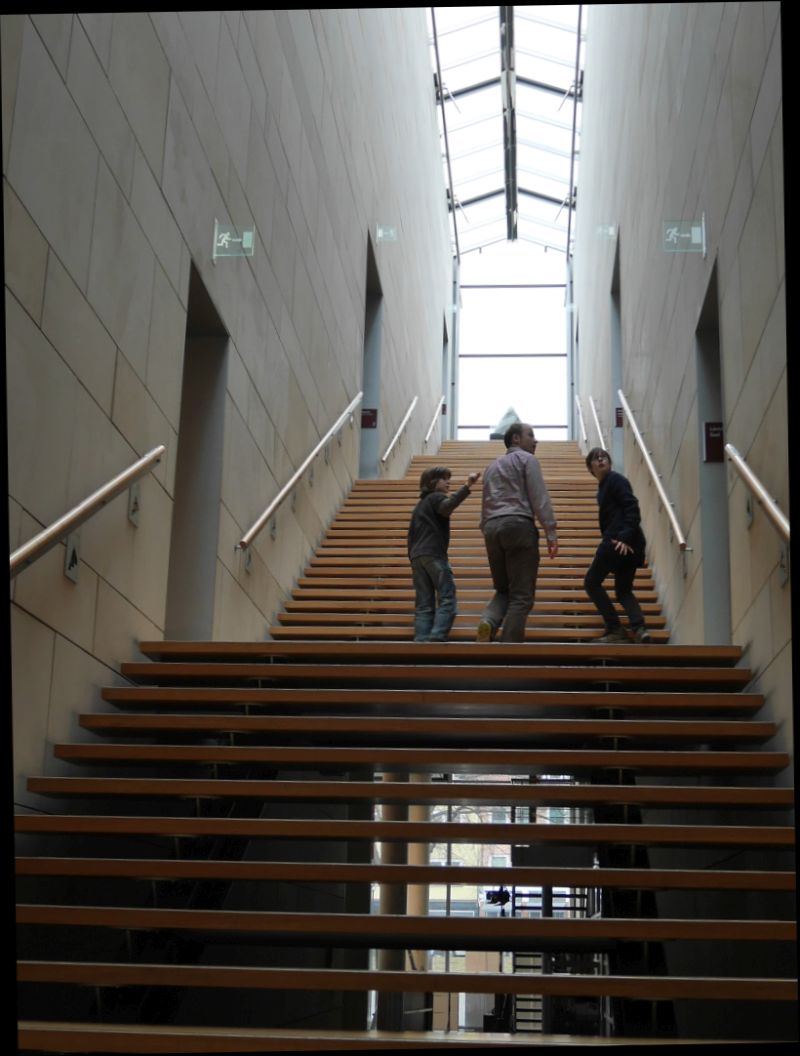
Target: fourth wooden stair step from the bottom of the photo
[{"x": 663, "y": 880}]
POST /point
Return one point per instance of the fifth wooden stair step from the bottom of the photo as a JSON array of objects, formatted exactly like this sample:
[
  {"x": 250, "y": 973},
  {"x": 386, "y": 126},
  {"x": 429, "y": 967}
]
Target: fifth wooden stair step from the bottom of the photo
[{"x": 484, "y": 833}]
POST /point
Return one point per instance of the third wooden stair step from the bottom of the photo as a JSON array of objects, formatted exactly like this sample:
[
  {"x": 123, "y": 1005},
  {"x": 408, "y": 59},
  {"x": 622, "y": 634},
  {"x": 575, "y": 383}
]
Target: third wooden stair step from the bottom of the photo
[{"x": 377, "y": 931}]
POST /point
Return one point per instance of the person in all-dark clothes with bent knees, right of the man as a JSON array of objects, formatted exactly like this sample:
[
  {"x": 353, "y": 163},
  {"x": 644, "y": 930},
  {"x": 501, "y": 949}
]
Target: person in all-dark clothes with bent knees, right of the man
[{"x": 622, "y": 551}]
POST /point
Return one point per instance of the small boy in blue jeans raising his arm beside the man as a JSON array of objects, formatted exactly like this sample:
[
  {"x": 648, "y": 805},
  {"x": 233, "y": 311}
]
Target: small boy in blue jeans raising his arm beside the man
[{"x": 429, "y": 539}]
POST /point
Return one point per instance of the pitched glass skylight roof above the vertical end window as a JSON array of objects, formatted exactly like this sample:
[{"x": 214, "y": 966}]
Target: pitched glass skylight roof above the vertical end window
[{"x": 545, "y": 43}]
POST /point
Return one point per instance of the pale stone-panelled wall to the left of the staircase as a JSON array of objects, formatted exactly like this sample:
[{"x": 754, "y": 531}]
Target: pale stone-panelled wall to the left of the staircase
[{"x": 125, "y": 138}]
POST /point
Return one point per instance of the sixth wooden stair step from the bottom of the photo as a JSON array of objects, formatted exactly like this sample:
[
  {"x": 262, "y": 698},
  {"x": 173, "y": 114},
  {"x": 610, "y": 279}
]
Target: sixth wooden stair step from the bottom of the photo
[{"x": 436, "y": 794}]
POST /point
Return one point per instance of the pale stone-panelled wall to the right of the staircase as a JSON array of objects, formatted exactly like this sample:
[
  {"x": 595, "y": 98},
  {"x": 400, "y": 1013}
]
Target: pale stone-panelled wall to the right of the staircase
[{"x": 683, "y": 121}]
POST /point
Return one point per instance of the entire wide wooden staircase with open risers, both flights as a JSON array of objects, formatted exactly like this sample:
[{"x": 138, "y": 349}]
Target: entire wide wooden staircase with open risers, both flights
[{"x": 205, "y": 880}]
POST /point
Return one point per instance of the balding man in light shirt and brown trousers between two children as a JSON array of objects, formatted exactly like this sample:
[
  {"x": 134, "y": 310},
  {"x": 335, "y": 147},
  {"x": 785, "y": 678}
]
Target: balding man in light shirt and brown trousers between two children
[{"x": 515, "y": 498}]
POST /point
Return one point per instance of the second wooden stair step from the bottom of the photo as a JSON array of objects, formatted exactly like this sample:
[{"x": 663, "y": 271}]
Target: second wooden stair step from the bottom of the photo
[{"x": 643, "y": 988}]
